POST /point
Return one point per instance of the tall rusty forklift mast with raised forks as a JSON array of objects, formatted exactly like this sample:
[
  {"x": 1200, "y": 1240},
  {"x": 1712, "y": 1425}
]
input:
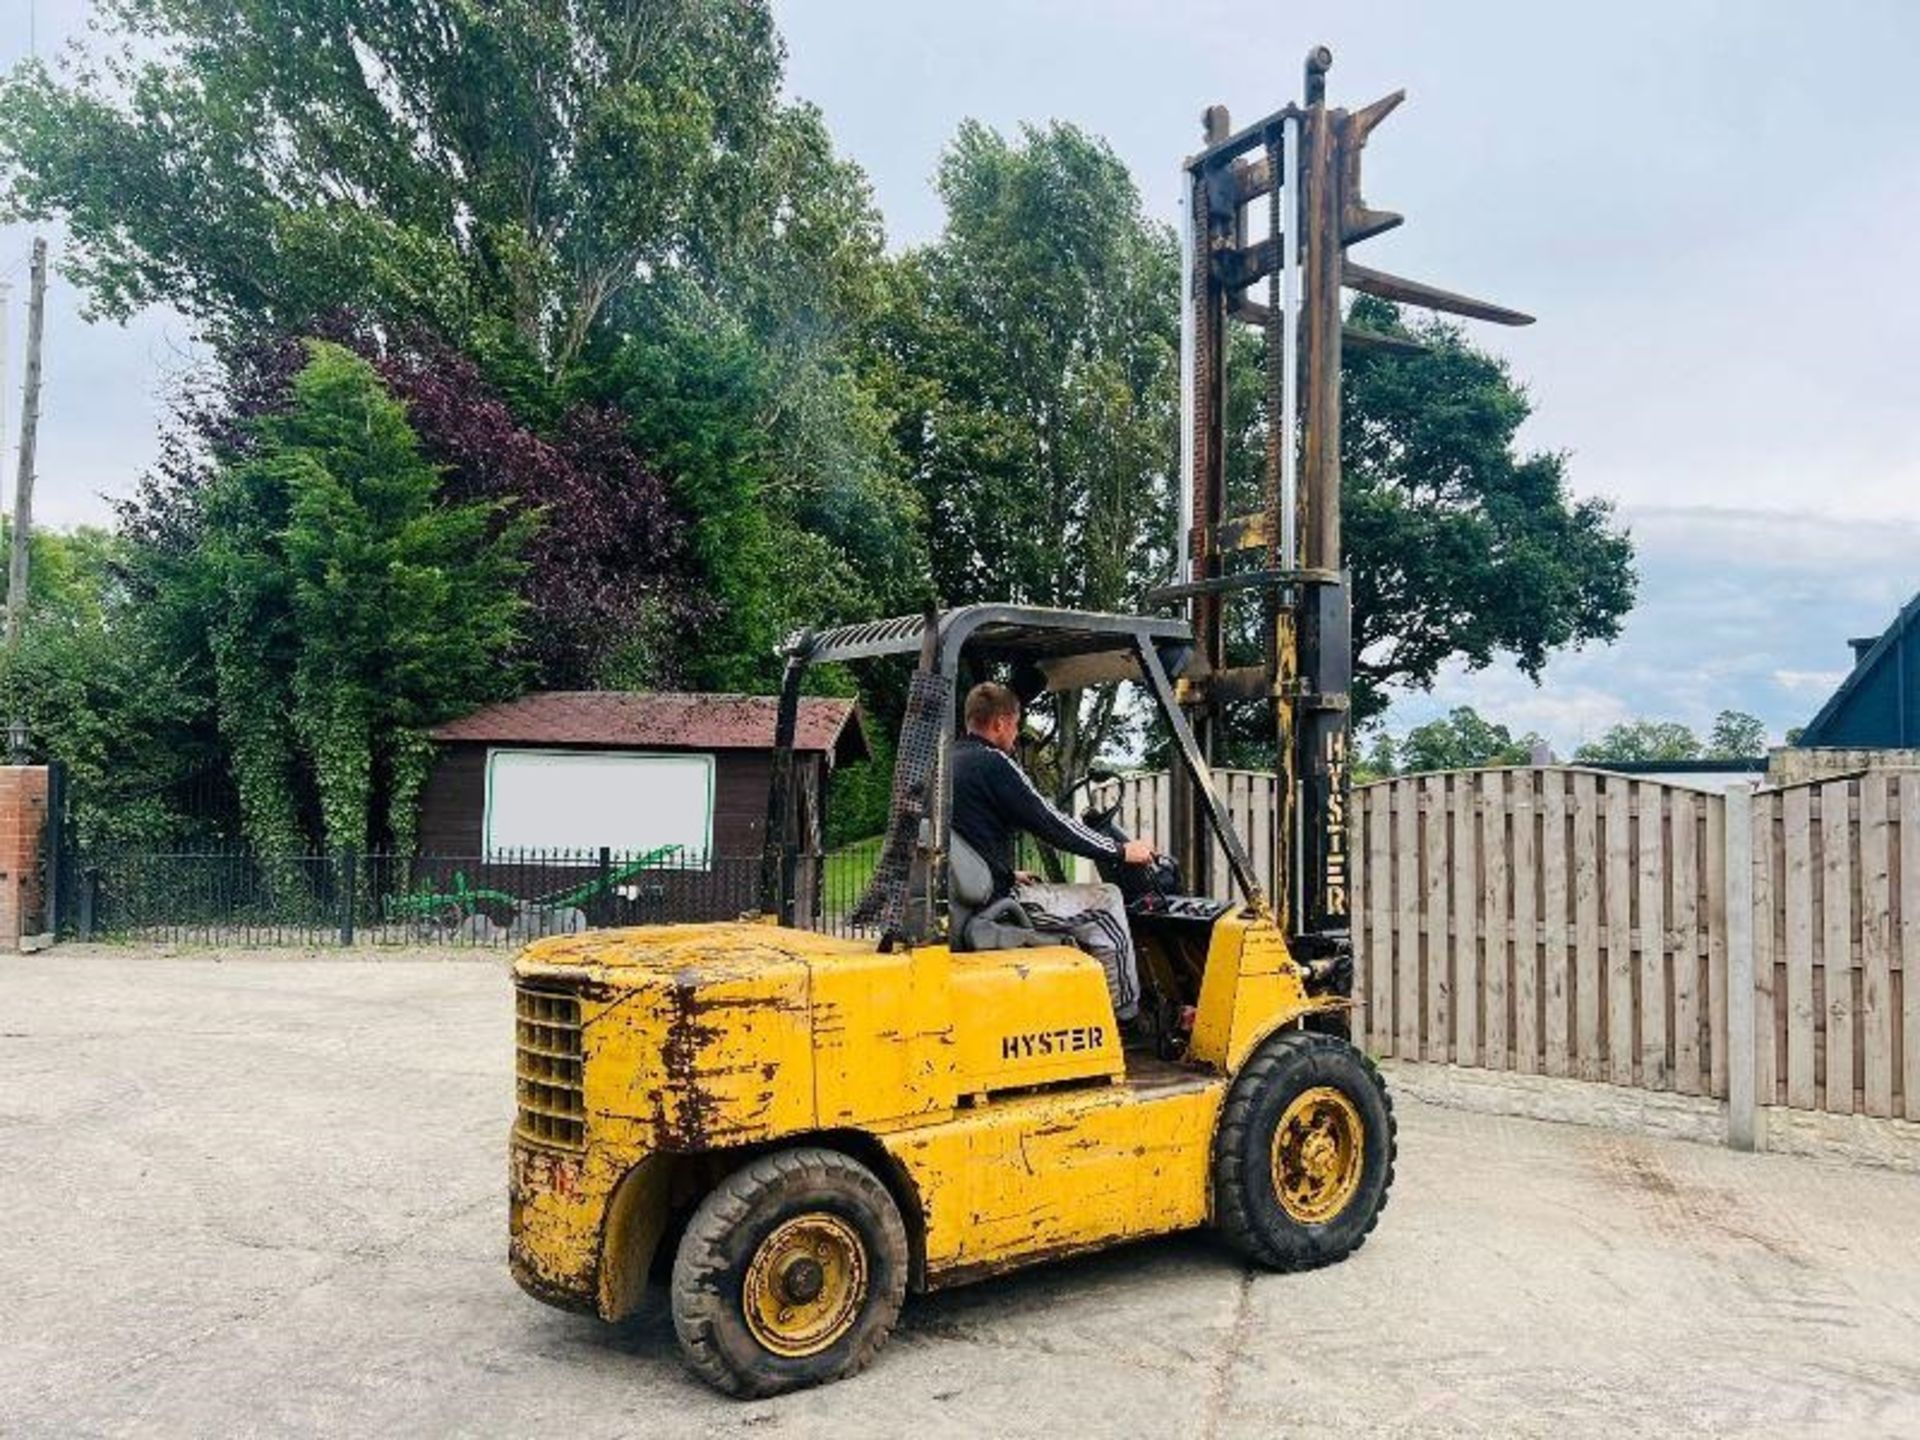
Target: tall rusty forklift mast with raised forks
[{"x": 1274, "y": 573}]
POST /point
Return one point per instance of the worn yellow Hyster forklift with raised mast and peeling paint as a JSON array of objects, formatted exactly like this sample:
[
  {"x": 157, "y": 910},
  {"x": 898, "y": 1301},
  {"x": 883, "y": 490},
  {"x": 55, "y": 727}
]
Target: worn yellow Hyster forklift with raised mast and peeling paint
[{"x": 796, "y": 1130}]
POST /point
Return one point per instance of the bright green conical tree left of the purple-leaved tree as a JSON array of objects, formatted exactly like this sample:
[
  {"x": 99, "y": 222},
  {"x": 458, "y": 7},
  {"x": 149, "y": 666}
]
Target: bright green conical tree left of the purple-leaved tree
[{"x": 347, "y": 612}]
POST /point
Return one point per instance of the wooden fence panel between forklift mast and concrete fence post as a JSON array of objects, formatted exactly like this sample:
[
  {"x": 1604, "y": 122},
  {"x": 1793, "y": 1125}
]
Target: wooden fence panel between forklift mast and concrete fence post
[{"x": 1564, "y": 923}]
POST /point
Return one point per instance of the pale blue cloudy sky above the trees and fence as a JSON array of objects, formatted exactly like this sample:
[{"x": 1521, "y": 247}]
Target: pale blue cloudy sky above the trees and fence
[{"x": 1706, "y": 204}]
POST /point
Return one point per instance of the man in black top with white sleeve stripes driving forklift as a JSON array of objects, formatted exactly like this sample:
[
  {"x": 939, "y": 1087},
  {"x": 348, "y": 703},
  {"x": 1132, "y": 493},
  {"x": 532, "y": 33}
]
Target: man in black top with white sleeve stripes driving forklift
[{"x": 994, "y": 804}]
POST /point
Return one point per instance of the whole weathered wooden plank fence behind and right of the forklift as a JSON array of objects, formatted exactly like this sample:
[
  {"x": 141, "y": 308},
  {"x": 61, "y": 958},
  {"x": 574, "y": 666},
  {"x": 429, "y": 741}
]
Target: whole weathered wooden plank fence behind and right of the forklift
[{"x": 1575, "y": 923}]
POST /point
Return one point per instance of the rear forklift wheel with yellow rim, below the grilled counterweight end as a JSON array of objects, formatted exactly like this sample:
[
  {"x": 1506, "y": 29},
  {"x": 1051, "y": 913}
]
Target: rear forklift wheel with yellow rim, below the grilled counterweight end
[{"x": 790, "y": 1274}]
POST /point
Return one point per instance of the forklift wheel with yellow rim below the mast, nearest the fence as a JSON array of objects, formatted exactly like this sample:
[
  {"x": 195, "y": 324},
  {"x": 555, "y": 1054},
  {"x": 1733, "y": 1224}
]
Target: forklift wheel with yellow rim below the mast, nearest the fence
[{"x": 1305, "y": 1153}]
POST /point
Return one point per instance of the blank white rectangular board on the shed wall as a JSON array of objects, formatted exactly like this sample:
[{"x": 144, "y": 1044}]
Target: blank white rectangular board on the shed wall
[{"x": 625, "y": 802}]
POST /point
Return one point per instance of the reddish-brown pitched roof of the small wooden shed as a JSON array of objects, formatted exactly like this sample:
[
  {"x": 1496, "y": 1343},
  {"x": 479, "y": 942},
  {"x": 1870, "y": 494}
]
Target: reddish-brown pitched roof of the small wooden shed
[{"x": 661, "y": 721}]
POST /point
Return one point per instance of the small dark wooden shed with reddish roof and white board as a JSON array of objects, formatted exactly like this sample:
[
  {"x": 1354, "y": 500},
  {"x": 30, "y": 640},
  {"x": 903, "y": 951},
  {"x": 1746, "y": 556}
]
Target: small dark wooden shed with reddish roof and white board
[{"x": 575, "y": 775}]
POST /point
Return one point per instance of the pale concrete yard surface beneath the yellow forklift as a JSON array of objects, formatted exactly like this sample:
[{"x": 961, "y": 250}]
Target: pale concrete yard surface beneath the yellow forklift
[{"x": 264, "y": 1195}]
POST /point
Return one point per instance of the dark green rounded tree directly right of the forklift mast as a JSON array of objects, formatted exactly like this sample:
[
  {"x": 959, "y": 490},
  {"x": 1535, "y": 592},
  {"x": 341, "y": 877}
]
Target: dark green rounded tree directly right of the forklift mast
[{"x": 1462, "y": 548}]
